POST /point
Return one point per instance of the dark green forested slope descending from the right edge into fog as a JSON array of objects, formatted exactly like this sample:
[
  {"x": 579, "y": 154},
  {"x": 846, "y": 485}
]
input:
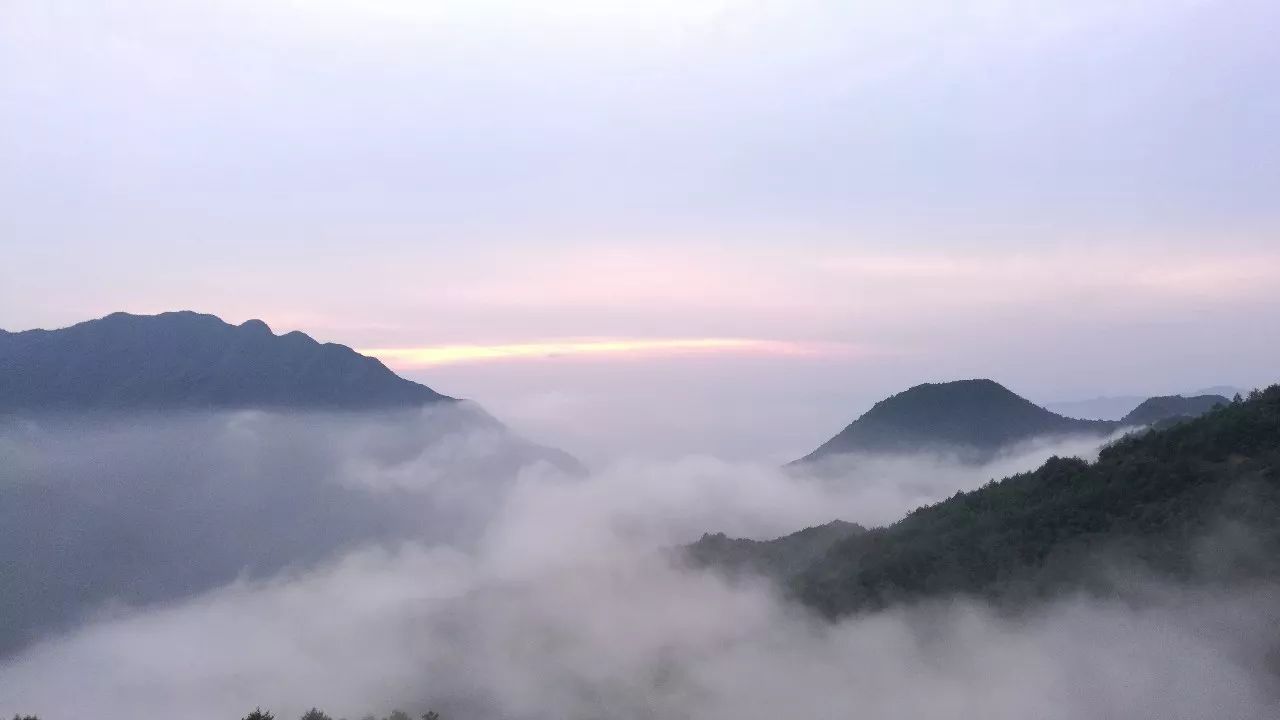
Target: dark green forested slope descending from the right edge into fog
[{"x": 1199, "y": 500}]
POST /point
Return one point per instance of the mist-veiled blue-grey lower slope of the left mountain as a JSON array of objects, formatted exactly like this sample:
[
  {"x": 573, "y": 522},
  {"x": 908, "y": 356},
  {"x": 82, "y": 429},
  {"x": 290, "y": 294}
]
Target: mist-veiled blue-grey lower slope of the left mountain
[{"x": 103, "y": 512}]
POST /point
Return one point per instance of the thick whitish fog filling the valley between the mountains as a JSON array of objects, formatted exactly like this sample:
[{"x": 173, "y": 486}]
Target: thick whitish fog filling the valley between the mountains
[{"x": 565, "y": 607}]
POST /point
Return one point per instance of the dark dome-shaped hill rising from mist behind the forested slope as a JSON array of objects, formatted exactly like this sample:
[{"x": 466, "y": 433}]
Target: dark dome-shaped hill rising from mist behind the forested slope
[{"x": 977, "y": 418}]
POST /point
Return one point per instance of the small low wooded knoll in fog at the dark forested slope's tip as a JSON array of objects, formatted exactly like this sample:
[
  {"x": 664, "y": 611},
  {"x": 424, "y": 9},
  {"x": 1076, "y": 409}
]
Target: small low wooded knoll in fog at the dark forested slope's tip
[{"x": 780, "y": 558}]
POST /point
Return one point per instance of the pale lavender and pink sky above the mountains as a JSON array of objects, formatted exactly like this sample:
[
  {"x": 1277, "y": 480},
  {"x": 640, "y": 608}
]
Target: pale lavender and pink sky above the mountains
[{"x": 670, "y": 227}]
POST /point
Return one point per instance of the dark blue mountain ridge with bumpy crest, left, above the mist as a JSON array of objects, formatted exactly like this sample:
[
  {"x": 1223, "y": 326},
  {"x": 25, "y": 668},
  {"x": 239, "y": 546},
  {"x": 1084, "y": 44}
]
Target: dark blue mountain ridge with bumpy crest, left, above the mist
[{"x": 190, "y": 361}]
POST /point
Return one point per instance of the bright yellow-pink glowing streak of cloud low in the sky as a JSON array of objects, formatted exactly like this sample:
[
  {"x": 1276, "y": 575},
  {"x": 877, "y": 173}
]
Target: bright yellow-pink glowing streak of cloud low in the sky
[{"x": 612, "y": 348}]
